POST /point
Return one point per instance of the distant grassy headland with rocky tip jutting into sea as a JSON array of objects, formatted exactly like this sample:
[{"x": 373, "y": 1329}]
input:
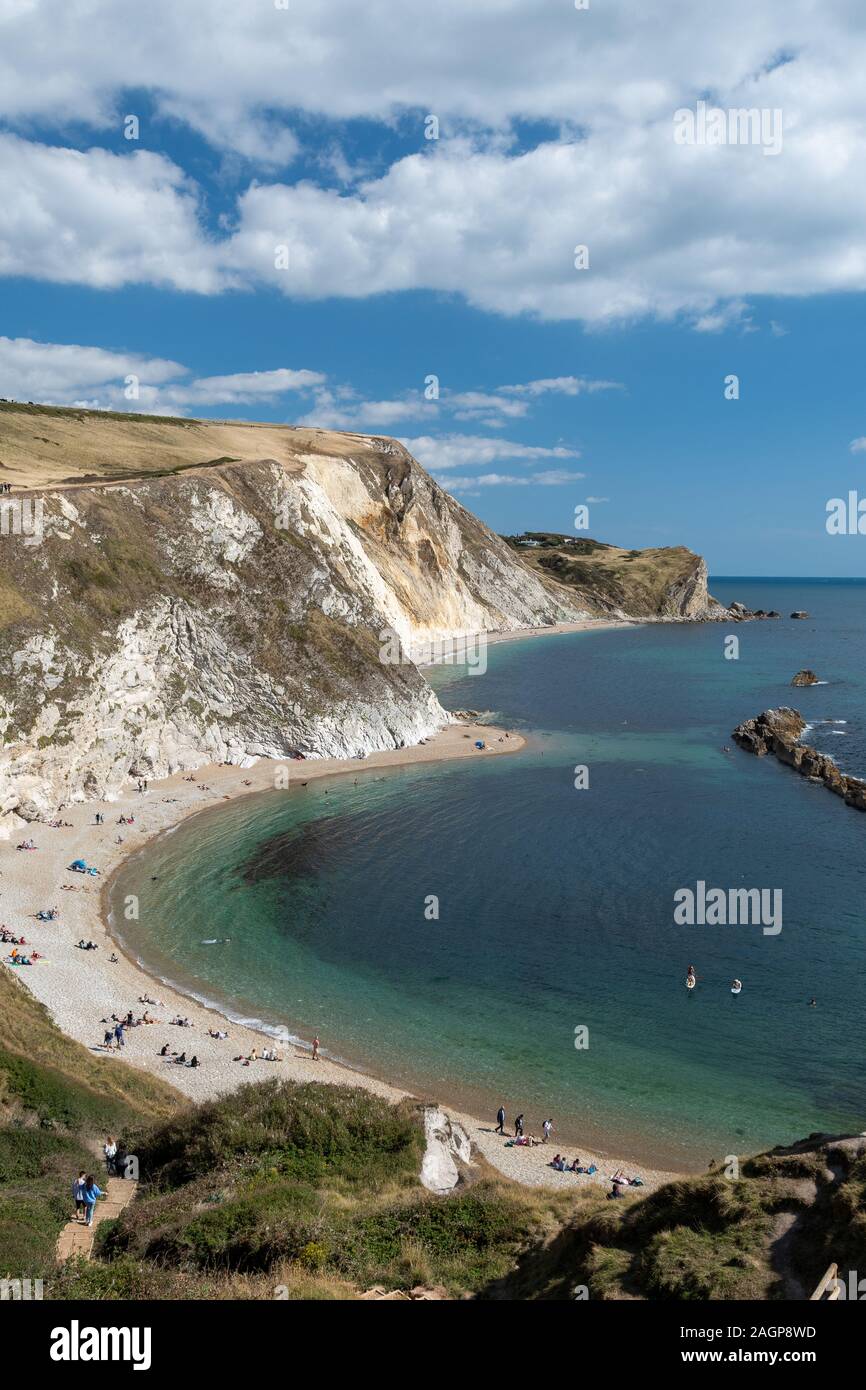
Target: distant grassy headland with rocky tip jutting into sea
[{"x": 668, "y": 583}]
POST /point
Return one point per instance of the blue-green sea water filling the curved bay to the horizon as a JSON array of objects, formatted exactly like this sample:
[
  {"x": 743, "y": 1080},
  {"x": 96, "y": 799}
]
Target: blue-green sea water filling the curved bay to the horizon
[{"x": 557, "y": 904}]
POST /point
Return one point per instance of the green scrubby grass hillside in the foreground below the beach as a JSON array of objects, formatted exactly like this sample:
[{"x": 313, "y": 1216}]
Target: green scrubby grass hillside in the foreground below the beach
[{"x": 312, "y": 1192}]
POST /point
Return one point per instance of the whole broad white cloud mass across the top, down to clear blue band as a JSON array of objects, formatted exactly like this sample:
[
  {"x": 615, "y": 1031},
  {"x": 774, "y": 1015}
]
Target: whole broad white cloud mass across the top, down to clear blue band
[{"x": 672, "y": 230}]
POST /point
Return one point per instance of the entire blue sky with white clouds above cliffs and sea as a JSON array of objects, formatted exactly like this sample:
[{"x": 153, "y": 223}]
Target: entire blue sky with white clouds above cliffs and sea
[{"x": 530, "y": 238}]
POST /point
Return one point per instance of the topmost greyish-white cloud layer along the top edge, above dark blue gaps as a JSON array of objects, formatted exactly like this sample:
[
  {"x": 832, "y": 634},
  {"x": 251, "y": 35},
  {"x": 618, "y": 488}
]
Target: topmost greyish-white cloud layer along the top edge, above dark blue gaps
[{"x": 240, "y": 76}]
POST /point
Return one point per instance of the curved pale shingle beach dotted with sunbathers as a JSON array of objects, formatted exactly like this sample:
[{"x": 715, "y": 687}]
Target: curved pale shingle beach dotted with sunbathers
[{"x": 81, "y": 989}]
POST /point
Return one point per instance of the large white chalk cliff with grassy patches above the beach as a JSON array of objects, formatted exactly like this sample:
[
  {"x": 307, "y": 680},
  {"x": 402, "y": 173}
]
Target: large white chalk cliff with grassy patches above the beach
[{"x": 233, "y": 611}]
